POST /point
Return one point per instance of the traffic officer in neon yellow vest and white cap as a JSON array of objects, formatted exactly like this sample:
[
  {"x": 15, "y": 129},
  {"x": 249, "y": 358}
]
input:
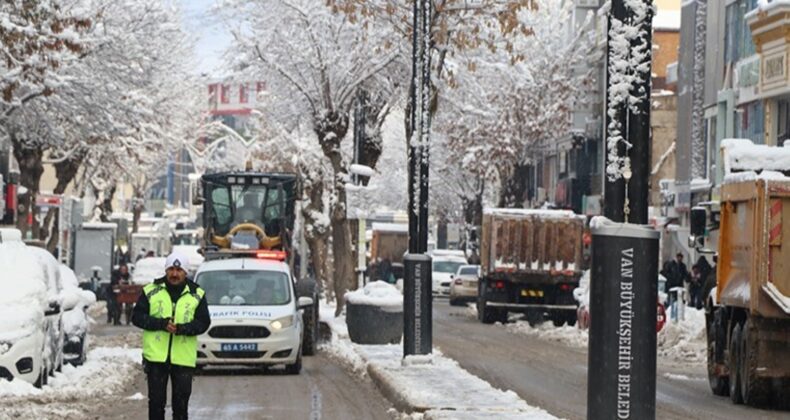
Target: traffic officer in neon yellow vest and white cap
[{"x": 172, "y": 311}]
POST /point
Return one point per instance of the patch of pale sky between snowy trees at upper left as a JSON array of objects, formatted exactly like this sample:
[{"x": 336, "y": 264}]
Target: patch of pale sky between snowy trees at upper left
[{"x": 212, "y": 36}]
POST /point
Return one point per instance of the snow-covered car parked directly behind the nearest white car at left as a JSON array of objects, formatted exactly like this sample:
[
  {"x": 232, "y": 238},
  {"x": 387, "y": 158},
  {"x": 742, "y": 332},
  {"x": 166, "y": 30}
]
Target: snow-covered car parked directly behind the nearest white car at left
[{"x": 55, "y": 333}]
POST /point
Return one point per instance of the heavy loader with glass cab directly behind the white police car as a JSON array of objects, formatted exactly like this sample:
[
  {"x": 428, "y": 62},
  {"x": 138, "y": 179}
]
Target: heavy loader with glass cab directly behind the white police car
[{"x": 246, "y": 214}]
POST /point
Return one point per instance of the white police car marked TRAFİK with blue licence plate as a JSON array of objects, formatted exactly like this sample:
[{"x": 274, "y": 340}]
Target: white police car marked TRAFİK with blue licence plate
[{"x": 256, "y": 317}]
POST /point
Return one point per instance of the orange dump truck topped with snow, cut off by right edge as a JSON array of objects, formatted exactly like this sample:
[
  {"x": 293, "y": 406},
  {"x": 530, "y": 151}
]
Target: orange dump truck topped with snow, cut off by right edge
[{"x": 748, "y": 309}]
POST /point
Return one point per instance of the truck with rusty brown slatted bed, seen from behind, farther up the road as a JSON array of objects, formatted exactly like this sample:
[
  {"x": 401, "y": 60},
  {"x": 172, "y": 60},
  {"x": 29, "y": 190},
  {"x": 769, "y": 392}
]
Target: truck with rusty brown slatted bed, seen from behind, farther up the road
[{"x": 531, "y": 261}]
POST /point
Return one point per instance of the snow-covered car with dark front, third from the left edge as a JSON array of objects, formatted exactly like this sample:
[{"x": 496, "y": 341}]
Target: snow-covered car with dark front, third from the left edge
[{"x": 75, "y": 318}]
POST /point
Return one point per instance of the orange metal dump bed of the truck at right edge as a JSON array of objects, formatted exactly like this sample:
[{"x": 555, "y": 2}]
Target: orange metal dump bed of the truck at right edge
[{"x": 754, "y": 262}]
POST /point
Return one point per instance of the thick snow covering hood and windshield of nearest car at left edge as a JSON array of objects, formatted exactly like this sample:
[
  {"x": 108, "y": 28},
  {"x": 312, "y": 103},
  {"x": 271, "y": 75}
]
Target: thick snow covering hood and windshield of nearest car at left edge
[{"x": 24, "y": 296}]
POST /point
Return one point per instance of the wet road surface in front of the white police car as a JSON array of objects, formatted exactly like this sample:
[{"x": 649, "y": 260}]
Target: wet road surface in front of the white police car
[{"x": 324, "y": 390}]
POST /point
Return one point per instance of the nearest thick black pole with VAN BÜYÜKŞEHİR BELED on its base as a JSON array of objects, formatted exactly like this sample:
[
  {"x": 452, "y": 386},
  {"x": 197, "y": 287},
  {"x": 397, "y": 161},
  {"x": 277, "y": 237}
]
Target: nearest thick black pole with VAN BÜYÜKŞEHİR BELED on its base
[{"x": 621, "y": 381}]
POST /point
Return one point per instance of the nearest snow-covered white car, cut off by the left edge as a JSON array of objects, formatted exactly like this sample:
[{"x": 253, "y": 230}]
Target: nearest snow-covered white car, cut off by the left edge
[{"x": 25, "y": 335}]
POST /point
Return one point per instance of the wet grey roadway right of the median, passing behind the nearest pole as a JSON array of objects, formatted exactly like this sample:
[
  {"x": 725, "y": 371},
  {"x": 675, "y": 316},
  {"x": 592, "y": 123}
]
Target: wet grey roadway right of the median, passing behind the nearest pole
[{"x": 553, "y": 374}]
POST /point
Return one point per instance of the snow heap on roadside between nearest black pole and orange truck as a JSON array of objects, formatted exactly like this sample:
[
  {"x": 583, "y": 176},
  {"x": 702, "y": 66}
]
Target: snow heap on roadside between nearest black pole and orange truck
[{"x": 685, "y": 340}]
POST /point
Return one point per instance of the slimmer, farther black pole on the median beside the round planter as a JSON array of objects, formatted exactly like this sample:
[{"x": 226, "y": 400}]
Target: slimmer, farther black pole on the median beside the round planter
[{"x": 417, "y": 295}]
